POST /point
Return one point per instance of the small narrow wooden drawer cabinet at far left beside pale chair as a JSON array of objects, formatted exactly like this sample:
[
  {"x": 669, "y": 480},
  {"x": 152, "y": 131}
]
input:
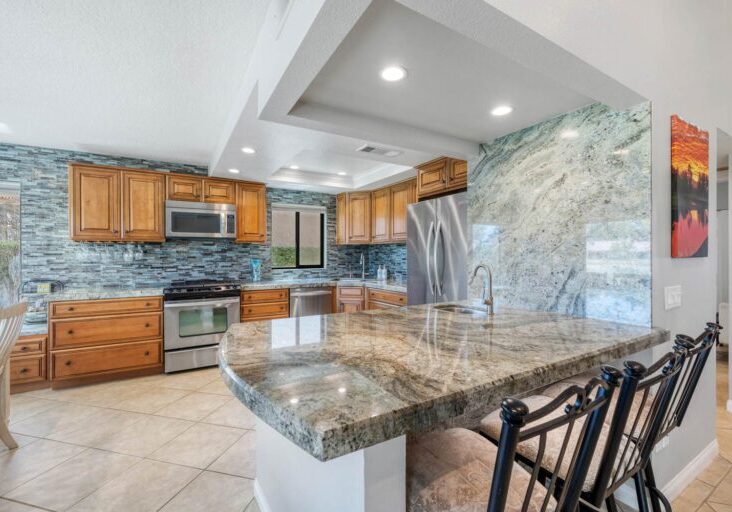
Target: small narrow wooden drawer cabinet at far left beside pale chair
[{"x": 28, "y": 363}]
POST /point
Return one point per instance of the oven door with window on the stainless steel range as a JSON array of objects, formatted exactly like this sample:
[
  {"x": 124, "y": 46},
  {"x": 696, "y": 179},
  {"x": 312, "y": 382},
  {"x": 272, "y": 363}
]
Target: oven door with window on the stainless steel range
[{"x": 194, "y": 323}]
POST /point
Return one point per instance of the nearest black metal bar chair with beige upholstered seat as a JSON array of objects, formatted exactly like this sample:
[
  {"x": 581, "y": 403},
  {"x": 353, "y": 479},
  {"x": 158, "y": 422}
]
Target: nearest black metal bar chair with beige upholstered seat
[{"x": 458, "y": 469}]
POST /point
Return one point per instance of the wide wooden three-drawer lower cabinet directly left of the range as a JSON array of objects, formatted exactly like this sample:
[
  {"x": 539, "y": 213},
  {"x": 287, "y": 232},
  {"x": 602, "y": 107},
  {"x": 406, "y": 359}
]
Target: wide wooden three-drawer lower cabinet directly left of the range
[{"x": 103, "y": 339}]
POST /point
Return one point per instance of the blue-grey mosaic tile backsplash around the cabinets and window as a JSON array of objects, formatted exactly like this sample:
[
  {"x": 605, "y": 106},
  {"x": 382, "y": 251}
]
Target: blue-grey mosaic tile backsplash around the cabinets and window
[{"x": 48, "y": 254}]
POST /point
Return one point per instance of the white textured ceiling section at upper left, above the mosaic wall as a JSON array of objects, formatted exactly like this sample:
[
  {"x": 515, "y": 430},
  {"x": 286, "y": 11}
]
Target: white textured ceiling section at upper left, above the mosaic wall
[{"x": 139, "y": 78}]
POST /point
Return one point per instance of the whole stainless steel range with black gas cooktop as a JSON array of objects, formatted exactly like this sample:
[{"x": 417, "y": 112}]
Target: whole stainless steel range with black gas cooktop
[{"x": 197, "y": 314}]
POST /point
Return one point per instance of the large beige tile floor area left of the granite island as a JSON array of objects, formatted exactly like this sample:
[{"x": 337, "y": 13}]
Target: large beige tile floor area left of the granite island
[{"x": 177, "y": 442}]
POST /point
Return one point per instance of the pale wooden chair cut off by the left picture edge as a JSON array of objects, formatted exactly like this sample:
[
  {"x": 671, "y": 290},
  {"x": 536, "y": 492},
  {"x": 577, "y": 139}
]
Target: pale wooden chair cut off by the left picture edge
[{"x": 11, "y": 322}]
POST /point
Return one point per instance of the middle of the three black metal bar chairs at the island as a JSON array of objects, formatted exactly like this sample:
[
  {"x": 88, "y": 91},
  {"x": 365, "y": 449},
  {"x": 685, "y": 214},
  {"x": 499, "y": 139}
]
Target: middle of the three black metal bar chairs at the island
[{"x": 627, "y": 438}]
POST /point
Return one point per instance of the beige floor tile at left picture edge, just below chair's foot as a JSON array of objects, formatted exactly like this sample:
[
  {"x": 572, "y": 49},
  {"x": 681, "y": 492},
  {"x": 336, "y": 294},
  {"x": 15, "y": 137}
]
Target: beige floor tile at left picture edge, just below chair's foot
[{"x": 19, "y": 466}]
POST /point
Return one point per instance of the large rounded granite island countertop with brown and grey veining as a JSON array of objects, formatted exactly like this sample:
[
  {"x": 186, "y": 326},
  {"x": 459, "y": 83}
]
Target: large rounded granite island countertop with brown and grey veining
[{"x": 334, "y": 384}]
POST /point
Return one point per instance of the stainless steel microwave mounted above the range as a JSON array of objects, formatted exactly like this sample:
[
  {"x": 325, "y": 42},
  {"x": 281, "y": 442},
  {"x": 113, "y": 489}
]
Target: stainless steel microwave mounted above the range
[{"x": 185, "y": 219}]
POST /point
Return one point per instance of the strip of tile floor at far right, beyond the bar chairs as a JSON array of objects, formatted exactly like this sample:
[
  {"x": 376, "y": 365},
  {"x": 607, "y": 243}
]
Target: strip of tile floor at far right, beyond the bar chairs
[{"x": 712, "y": 491}]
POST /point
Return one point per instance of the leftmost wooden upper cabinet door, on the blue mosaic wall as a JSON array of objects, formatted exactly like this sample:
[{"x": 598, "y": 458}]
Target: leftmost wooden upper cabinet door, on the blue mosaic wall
[{"x": 94, "y": 204}]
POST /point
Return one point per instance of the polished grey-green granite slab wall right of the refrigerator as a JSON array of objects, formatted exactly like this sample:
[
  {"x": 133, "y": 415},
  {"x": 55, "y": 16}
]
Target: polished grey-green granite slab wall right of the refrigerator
[{"x": 561, "y": 212}]
